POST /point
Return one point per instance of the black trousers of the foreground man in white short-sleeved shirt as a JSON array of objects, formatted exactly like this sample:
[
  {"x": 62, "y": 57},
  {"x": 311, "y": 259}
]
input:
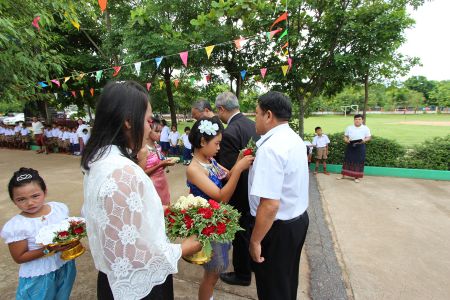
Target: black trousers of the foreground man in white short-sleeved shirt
[{"x": 277, "y": 277}]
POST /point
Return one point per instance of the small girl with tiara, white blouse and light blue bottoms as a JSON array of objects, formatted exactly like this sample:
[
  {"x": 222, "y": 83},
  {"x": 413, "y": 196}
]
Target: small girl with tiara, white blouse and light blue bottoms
[{"x": 43, "y": 275}]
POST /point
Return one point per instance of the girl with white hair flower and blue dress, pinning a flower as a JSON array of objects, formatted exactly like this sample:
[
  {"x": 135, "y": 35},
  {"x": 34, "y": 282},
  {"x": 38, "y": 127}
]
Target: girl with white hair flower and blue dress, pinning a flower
[{"x": 204, "y": 178}]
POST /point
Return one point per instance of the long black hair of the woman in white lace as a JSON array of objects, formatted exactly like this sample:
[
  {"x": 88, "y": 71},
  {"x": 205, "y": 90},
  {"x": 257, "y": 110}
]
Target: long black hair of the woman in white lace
[{"x": 119, "y": 102}]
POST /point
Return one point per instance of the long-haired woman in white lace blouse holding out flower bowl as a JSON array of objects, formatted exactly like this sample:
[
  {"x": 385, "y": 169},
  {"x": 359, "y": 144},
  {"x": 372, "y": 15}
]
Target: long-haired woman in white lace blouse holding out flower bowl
[{"x": 124, "y": 214}]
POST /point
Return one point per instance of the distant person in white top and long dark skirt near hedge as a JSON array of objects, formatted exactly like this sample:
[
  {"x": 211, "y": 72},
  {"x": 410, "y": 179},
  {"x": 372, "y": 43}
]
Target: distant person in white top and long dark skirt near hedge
[{"x": 356, "y": 136}]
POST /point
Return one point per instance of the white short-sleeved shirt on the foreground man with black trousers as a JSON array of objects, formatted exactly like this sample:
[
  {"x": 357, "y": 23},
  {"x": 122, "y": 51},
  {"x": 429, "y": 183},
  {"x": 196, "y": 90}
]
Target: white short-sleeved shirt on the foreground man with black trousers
[{"x": 280, "y": 172}]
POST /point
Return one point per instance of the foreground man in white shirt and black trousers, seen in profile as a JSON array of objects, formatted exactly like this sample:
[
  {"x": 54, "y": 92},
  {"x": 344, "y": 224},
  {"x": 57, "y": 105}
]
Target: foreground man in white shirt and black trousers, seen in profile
[{"x": 278, "y": 196}]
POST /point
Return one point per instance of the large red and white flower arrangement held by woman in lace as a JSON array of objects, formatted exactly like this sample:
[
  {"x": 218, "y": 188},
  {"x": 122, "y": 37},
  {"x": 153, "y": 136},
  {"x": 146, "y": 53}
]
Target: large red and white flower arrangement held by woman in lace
[{"x": 208, "y": 219}]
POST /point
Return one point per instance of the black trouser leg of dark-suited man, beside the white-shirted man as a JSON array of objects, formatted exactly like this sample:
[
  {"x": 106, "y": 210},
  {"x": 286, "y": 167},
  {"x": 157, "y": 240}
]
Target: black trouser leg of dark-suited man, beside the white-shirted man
[{"x": 241, "y": 255}]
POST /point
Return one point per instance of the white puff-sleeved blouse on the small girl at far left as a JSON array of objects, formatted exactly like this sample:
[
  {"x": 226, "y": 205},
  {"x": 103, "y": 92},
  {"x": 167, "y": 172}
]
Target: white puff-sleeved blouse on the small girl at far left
[{"x": 22, "y": 228}]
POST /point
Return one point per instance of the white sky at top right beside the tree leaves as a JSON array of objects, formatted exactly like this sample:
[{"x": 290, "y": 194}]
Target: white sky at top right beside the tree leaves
[{"x": 430, "y": 40}]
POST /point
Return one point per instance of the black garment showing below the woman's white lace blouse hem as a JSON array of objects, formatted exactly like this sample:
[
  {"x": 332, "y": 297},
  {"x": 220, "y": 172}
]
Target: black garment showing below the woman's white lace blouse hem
[{"x": 163, "y": 291}]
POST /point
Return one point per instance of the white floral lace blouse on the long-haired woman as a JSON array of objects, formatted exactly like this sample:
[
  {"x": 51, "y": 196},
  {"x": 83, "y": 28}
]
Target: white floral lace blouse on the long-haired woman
[{"x": 125, "y": 226}]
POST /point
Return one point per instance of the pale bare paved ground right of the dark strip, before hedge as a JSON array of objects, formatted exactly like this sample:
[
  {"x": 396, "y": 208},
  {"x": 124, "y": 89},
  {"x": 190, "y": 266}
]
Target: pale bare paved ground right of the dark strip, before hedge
[{"x": 391, "y": 235}]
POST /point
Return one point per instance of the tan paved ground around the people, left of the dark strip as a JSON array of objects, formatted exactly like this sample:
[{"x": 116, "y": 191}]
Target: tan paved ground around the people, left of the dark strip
[{"x": 64, "y": 182}]
